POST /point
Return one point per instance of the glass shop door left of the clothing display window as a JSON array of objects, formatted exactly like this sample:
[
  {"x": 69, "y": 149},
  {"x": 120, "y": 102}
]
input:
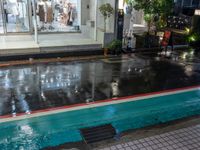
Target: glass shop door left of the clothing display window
[{"x": 15, "y": 16}]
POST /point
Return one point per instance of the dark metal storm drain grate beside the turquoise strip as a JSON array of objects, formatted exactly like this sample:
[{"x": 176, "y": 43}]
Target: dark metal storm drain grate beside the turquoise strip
[{"x": 99, "y": 133}]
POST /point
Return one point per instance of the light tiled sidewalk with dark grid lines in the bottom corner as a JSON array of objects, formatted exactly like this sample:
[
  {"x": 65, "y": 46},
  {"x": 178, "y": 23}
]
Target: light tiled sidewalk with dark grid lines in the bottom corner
[{"x": 181, "y": 139}]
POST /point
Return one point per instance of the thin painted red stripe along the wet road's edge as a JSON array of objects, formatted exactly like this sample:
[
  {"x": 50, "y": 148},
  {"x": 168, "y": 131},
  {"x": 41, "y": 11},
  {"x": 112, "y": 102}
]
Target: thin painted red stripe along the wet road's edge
[{"x": 103, "y": 101}]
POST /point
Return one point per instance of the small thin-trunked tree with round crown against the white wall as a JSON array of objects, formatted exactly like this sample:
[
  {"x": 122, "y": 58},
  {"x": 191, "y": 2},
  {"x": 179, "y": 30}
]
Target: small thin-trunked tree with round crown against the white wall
[{"x": 106, "y": 10}]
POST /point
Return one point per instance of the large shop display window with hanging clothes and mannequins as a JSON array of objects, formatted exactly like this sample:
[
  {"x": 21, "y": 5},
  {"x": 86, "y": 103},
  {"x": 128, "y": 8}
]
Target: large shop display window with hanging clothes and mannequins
[{"x": 58, "y": 15}]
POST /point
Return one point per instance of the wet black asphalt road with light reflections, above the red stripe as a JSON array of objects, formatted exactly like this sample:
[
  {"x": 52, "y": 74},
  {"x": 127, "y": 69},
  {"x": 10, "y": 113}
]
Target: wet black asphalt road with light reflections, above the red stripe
[{"x": 34, "y": 87}]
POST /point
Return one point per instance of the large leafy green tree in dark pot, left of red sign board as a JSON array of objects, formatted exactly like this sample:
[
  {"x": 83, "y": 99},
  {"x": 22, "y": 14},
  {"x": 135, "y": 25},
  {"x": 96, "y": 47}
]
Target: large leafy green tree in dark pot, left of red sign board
[{"x": 155, "y": 15}]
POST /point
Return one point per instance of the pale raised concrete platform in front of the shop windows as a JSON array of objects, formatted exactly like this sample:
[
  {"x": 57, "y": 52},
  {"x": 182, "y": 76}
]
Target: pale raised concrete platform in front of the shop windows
[{"x": 25, "y": 44}]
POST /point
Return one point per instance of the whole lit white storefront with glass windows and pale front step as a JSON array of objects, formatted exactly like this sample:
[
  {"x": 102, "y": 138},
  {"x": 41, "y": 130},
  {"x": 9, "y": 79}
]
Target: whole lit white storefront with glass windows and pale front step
[{"x": 53, "y": 23}]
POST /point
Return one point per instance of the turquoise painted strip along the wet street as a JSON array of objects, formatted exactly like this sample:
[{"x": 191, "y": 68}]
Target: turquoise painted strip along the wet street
[{"x": 39, "y": 132}]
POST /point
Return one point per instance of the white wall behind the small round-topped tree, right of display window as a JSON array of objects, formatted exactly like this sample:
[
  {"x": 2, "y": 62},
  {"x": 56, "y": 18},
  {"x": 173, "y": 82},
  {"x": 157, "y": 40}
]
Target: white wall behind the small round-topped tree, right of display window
[{"x": 92, "y": 13}]
